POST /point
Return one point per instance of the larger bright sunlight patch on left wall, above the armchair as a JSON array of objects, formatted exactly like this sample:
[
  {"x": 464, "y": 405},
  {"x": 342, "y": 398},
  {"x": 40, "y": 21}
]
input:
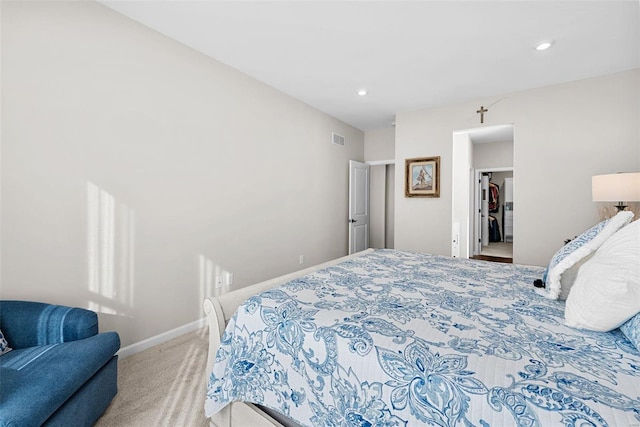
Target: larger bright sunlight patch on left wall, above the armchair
[{"x": 110, "y": 250}]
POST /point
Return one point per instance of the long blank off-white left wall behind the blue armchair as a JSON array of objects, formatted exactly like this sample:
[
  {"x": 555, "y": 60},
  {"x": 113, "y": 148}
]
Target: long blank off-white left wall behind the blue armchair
[{"x": 135, "y": 170}]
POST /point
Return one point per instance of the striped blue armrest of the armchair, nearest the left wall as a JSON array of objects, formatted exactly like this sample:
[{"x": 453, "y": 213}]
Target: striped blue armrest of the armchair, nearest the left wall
[{"x": 28, "y": 324}]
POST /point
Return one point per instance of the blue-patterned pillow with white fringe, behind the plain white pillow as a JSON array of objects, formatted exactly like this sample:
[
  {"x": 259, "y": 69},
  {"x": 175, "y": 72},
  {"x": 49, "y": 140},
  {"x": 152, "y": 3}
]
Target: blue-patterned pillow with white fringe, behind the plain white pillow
[{"x": 564, "y": 265}]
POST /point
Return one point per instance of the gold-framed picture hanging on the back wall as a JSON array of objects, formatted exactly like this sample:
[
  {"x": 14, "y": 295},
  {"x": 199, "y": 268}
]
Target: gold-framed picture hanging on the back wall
[{"x": 422, "y": 177}]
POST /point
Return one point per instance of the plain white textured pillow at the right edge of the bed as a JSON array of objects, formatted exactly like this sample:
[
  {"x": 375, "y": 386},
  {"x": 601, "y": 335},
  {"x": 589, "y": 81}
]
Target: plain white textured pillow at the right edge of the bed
[{"x": 606, "y": 292}]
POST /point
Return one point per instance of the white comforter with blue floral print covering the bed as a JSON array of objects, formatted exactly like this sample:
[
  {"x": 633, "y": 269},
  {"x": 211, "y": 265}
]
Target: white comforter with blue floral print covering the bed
[{"x": 403, "y": 339}]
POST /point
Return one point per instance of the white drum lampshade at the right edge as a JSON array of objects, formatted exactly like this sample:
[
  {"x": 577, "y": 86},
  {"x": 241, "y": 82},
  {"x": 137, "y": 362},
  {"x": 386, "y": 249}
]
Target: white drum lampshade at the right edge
[{"x": 617, "y": 187}]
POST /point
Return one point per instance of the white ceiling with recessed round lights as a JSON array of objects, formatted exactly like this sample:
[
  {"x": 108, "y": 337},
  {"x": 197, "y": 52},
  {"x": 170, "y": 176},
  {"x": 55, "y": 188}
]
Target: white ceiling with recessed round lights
[{"x": 407, "y": 55}]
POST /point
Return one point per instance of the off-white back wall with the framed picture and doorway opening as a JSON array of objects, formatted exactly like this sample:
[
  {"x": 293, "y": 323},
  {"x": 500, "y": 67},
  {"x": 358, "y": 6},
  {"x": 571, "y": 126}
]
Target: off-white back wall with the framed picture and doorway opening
[{"x": 563, "y": 135}]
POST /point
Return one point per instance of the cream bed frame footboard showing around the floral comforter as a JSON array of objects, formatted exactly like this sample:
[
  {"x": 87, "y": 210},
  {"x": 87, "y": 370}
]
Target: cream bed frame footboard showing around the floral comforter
[{"x": 219, "y": 310}]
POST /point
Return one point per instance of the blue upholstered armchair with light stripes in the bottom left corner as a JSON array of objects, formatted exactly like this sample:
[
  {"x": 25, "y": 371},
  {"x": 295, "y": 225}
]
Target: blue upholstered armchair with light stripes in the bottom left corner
[{"x": 60, "y": 371}]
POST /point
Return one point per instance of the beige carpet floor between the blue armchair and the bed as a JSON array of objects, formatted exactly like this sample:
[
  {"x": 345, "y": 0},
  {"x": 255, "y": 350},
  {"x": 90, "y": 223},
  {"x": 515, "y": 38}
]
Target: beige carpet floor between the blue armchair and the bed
[{"x": 162, "y": 386}]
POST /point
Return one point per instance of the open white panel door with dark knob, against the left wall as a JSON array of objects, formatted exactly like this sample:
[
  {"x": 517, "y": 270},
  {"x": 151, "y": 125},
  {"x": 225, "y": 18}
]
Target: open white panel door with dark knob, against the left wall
[{"x": 358, "y": 206}]
